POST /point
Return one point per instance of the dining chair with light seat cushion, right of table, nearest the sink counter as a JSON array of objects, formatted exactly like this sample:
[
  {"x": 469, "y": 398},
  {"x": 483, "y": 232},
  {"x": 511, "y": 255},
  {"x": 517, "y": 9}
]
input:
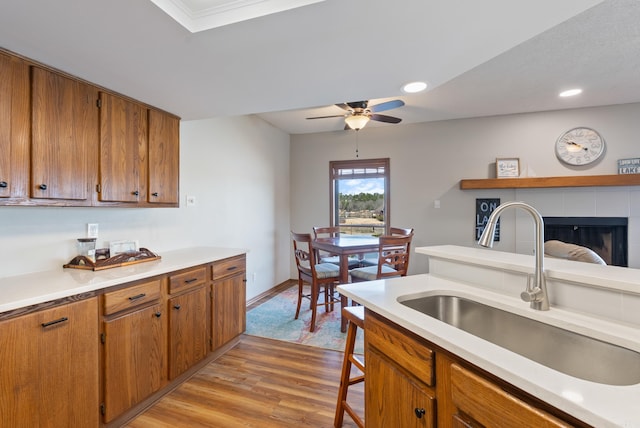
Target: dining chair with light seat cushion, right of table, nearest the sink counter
[{"x": 394, "y": 253}]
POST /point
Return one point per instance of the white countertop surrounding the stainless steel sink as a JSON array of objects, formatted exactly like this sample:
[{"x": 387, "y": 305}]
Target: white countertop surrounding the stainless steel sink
[{"x": 596, "y": 404}]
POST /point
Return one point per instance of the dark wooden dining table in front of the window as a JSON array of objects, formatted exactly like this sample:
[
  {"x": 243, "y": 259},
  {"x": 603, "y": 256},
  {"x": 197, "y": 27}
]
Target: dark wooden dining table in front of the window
[{"x": 344, "y": 246}]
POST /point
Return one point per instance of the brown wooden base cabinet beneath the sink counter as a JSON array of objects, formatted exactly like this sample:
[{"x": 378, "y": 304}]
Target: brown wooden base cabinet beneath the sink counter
[{"x": 414, "y": 383}]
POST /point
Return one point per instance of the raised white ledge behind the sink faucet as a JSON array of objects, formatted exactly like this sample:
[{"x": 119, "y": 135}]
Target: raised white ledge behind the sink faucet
[{"x": 610, "y": 277}]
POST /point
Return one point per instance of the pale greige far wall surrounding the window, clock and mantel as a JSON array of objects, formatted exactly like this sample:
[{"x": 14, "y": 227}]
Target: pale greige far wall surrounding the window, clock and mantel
[{"x": 429, "y": 159}]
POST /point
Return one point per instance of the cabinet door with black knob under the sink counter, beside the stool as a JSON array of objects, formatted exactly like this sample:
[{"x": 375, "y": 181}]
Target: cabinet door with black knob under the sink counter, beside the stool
[{"x": 394, "y": 399}]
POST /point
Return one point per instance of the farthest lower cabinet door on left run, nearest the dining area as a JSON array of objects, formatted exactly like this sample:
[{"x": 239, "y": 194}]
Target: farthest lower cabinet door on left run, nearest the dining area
[{"x": 228, "y": 308}]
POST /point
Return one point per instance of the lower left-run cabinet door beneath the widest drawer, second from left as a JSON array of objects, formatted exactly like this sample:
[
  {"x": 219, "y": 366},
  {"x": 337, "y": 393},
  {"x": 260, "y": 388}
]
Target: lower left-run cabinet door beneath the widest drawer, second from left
[{"x": 134, "y": 359}]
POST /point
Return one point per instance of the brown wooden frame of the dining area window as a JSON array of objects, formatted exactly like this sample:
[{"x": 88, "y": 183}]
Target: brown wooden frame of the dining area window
[{"x": 335, "y": 166}]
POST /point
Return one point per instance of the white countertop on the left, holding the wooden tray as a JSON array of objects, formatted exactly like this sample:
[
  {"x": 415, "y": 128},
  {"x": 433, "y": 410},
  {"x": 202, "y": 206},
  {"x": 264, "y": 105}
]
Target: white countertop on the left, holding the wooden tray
[{"x": 34, "y": 288}]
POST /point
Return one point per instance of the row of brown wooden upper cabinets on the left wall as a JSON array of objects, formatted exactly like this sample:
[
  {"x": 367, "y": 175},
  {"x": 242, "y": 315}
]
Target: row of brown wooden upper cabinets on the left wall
[{"x": 67, "y": 142}]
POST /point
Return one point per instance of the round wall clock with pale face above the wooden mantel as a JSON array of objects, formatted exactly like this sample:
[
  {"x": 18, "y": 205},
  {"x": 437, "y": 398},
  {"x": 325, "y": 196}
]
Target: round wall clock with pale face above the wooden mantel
[{"x": 580, "y": 146}]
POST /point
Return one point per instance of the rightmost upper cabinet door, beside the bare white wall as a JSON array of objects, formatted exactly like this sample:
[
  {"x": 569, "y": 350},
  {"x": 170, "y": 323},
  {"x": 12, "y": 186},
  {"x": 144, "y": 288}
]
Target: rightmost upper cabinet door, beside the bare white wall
[{"x": 164, "y": 158}]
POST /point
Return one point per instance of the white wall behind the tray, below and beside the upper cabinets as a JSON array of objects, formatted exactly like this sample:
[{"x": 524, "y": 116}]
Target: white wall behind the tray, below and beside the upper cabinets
[{"x": 238, "y": 170}]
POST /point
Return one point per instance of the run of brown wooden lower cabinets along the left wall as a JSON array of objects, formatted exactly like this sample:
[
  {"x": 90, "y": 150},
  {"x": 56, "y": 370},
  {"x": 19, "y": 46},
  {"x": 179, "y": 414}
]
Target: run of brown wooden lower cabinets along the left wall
[{"x": 99, "y": 361}]
